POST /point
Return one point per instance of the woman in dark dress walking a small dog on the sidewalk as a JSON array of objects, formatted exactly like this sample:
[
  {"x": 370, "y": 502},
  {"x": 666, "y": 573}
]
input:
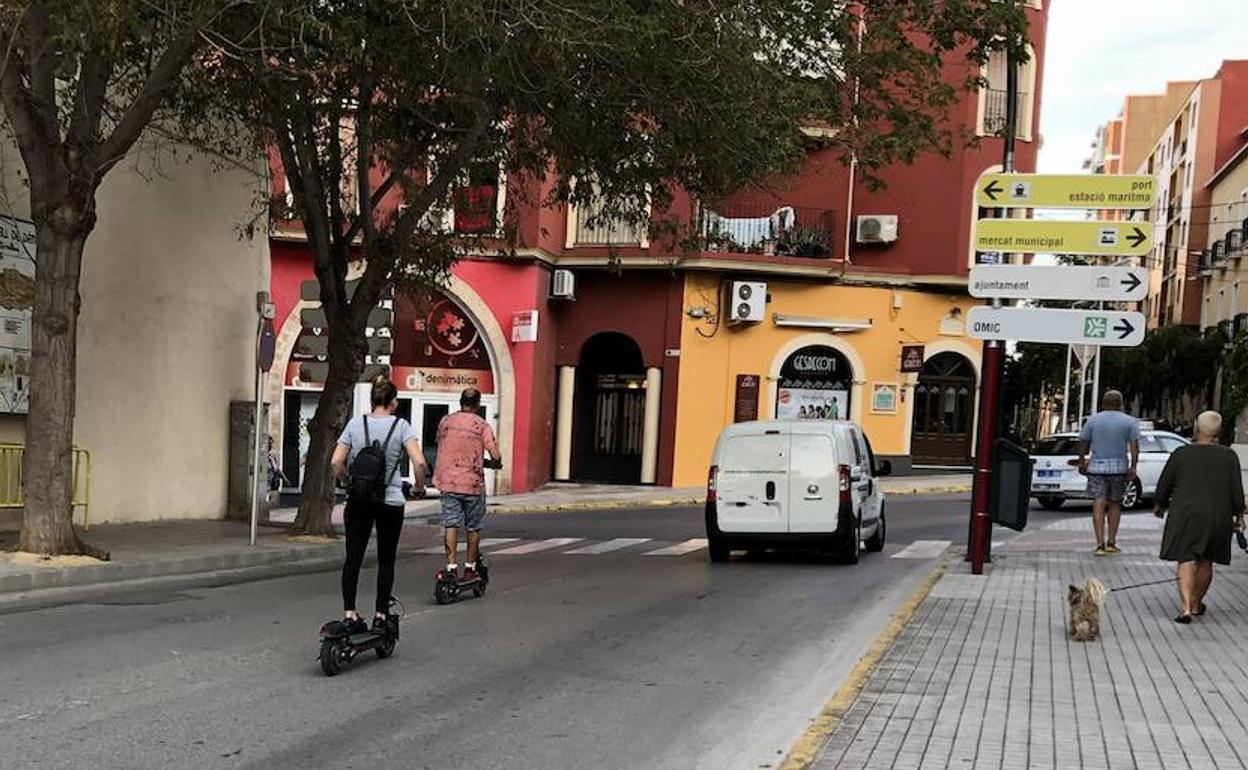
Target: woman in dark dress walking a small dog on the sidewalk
[{"x": 1204, "y": 492}]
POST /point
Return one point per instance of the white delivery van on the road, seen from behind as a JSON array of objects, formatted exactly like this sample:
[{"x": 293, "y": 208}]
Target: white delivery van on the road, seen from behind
[{"x": 796, "y": 485}]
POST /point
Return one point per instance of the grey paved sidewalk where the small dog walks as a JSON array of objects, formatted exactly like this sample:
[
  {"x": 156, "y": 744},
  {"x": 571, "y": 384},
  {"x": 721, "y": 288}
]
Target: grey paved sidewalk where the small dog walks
[{"x": 985, "y": 676}]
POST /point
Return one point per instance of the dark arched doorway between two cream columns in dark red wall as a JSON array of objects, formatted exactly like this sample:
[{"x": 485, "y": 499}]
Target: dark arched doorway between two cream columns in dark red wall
[{"x": 610, "y": 411}]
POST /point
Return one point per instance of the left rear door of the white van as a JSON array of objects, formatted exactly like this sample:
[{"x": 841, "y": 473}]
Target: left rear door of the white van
[{"x": 753, "y": 487}]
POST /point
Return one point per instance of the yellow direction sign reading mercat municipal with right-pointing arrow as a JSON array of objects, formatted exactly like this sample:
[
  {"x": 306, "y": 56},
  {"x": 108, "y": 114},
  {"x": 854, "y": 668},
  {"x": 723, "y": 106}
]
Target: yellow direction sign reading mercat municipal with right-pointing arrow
[{"x": 1078, "y": 238}]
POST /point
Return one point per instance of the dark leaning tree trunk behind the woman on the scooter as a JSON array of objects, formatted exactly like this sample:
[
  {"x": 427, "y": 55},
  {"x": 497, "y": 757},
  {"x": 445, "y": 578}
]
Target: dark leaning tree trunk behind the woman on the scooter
[{"x": 348, "y": 348}]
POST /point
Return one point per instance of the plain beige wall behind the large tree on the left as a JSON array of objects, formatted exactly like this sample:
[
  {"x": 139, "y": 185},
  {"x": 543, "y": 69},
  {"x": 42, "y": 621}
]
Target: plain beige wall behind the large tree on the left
[{"x": 168, "y": 333}]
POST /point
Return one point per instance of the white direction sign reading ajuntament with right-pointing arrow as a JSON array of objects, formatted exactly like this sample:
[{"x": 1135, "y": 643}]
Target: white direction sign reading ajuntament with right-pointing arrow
[{"x": 1053, "y": 283}]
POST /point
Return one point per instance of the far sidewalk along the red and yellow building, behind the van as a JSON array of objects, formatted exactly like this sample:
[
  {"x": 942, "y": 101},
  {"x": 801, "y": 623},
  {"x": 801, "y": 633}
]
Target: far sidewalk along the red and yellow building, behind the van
[{"x": 558, "y": 497}]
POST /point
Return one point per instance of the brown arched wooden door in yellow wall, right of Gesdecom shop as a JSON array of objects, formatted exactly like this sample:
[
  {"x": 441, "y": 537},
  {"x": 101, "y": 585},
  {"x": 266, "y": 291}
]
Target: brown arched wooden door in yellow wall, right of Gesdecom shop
[{"x": 944, "y": 412}]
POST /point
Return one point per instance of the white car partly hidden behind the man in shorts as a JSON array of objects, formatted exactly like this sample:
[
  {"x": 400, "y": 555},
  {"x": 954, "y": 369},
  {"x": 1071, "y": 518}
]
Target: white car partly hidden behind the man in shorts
[{"x": 1054, "y": 480}]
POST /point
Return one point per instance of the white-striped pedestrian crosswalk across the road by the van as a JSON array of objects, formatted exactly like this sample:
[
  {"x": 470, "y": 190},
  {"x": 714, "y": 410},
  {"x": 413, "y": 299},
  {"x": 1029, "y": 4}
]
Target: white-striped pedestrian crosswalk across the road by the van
[{"x": 647, "y": 547}]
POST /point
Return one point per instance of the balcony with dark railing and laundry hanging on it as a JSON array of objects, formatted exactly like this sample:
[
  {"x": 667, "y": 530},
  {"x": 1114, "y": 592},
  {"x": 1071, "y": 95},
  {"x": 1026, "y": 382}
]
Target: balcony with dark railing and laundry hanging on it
[{"x": 768, "y": 229}]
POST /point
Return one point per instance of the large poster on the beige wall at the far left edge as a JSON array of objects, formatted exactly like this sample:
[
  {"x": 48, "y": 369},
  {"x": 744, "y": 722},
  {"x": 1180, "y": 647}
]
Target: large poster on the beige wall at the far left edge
[{"x": 17, "y": 299}]
